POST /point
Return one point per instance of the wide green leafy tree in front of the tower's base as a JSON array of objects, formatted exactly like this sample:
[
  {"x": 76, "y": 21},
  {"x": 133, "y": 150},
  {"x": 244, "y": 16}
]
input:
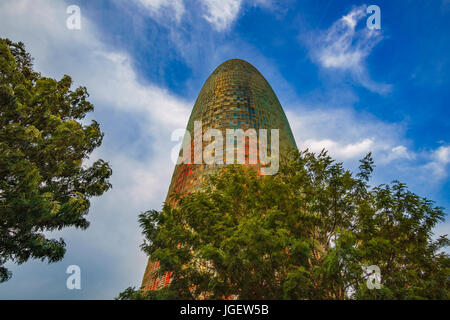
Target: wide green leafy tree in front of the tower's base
[{"x": 305, "y": 233}]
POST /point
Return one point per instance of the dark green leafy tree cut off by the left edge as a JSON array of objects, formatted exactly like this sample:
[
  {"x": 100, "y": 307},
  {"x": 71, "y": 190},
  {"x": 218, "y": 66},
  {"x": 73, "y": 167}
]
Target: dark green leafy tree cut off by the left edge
[{"x": 44, "y": 184}]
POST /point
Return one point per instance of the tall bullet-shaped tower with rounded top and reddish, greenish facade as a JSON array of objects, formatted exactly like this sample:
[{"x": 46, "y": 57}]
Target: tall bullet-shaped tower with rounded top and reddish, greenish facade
[{"x": 235, "y": 96}]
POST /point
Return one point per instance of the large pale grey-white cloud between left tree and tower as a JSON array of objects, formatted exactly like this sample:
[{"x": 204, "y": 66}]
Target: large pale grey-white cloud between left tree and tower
[{"x": 140, "y": 179}]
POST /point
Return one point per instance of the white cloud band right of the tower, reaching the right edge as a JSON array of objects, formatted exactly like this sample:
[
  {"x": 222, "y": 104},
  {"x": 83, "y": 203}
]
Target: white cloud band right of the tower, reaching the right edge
[{"x": 349, "y": 135}]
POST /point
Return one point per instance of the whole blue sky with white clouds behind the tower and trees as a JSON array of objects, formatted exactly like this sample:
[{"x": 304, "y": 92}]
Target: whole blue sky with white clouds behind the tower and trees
[{"x": 344, "y": 87}]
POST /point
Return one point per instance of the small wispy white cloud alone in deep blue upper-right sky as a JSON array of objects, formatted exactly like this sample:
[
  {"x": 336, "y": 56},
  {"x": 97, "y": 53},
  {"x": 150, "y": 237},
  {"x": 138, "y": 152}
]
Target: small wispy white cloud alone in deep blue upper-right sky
[{"x": 344, "y": 47}]
